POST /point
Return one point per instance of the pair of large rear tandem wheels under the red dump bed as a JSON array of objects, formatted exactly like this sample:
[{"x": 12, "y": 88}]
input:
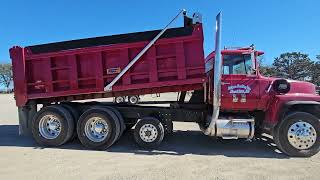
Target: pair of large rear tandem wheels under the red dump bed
[{"x": 97, "y": 128}]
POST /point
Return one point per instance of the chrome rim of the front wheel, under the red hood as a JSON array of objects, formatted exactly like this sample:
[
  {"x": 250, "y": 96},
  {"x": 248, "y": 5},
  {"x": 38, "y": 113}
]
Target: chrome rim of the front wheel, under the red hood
[{"x": 302, "y": 135}]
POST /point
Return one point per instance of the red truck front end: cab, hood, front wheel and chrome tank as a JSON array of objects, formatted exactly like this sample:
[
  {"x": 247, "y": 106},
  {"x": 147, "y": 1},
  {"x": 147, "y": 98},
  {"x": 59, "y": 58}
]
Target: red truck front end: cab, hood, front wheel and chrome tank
[{"x": 288, "y": 110}]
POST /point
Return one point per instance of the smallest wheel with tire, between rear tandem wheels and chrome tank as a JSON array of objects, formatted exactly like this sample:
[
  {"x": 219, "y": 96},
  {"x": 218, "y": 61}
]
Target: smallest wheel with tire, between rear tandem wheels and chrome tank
[{"x": 153, "y": 126}]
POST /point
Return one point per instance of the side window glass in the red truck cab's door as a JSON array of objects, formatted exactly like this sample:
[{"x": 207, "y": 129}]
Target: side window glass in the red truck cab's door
[{"x": 237, "y": 64}]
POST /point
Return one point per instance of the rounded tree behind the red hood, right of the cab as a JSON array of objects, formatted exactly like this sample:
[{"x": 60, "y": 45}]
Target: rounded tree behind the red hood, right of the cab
[{"x": 293, "y": 65}]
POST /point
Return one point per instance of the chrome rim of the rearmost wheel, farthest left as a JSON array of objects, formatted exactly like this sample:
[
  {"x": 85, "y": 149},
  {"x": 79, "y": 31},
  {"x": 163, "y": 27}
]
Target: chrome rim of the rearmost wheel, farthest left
[{"x": 50, "y": 126}]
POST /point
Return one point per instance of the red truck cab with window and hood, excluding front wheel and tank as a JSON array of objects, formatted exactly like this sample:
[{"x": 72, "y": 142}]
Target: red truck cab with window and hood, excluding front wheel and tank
[{"x": 243, "y": 87}]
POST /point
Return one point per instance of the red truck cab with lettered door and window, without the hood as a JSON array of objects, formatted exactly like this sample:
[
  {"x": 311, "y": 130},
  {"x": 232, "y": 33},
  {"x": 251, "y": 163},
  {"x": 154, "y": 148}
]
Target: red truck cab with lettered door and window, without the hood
[{"x": 241, "y": 82}]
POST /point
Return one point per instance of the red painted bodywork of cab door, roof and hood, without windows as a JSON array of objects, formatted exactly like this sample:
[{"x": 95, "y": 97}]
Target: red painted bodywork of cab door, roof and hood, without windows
[{"x": 258, "y": 98}]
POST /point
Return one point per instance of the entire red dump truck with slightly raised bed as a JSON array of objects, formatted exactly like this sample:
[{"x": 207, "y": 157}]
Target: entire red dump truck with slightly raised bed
[{"x": 230, "y": 98}]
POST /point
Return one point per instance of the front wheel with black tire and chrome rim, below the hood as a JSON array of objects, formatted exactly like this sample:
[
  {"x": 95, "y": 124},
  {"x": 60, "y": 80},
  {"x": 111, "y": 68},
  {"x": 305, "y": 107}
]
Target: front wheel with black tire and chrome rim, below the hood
[{"x": 287, "y": 134}]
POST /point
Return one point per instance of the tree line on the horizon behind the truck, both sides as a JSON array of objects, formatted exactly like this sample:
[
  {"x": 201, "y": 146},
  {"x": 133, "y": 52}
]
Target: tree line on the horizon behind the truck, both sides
[{"x": 290, "y": 65}]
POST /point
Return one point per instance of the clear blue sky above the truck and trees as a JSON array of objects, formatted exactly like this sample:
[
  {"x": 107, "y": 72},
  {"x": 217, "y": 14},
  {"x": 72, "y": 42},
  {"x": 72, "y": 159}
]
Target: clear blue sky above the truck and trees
[{"x": 274, "y": 26}]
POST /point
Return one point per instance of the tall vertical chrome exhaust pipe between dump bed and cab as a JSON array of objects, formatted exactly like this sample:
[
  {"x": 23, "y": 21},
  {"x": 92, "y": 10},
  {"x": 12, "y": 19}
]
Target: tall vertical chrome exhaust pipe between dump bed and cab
[{"x": 211, "y": 129}]
